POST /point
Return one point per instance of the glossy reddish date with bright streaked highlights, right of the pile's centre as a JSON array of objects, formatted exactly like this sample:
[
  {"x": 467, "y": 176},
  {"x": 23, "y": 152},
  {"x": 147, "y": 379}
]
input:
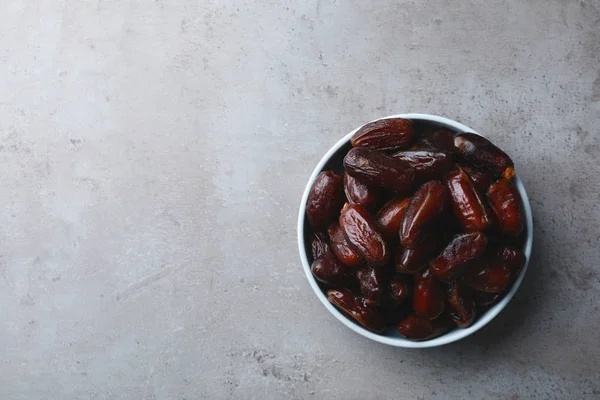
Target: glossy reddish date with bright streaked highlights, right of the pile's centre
[{"x": 467, "y": 204}]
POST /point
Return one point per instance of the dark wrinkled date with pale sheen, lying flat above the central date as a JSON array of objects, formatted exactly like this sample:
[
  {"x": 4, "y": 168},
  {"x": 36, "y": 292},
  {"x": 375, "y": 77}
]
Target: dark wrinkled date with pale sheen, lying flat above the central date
[{"x": 428, "y": 165}]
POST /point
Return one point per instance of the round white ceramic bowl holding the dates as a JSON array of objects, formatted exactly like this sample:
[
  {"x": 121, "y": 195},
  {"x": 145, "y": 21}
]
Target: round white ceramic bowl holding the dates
[{"x": 333, "y": 160}]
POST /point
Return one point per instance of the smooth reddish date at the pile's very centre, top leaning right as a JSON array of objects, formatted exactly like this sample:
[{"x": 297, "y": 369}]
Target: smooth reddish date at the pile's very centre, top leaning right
[{"x": 428, "y": 202}]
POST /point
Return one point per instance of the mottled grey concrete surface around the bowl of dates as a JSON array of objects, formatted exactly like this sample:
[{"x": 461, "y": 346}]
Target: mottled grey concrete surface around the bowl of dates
[{"x": 153, "y": 157}]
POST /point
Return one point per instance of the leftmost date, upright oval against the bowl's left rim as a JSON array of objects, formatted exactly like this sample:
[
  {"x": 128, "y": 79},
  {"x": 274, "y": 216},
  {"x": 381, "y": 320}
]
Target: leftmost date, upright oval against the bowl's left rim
[{"x": 325, "y": 199}]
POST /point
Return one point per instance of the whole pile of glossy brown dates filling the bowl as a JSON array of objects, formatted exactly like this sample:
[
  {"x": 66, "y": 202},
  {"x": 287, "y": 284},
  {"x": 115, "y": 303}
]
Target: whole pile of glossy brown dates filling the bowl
[{"x": 421, "y": 232}]
